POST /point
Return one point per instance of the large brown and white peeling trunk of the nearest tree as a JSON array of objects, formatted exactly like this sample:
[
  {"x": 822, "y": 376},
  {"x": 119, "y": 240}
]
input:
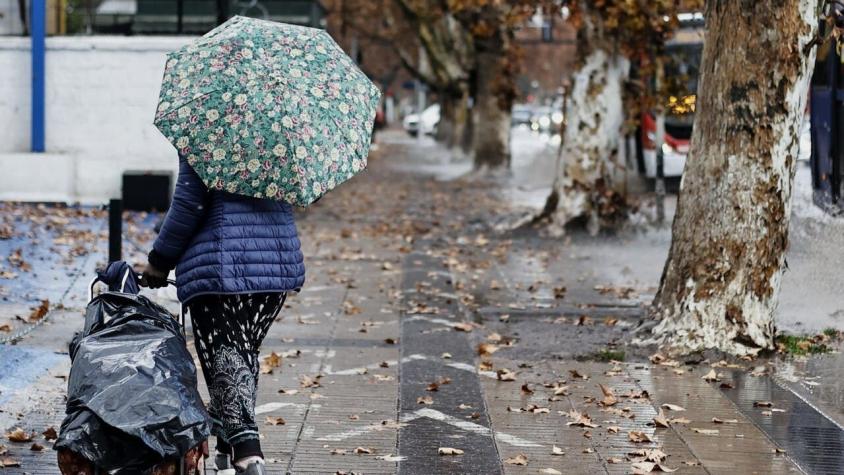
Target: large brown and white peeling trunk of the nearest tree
[{"x": 721, "y": 281}]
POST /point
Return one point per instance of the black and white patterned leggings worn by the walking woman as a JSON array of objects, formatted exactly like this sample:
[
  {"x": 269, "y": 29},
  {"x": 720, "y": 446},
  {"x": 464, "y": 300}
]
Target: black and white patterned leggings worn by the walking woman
[{"x": 229, "y": 329}]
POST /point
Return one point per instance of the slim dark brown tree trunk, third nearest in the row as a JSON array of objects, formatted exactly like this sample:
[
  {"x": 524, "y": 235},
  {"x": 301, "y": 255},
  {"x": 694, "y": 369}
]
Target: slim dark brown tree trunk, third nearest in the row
[{"x": 491, "y": 109}]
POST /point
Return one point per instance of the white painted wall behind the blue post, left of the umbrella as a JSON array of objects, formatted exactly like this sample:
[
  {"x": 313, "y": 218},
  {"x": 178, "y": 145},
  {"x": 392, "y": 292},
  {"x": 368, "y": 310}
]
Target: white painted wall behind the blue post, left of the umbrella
[{"x": 101, "y": 98}]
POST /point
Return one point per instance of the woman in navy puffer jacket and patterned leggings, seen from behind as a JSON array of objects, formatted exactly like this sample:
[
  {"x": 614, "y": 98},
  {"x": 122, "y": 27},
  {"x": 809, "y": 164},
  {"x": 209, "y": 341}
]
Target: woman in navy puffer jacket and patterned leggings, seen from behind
[{"x": 236, "y": 258}]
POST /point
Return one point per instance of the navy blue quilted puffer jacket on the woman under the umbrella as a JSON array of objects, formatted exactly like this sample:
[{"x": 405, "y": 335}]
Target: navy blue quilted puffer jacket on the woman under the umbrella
[{"x": 221, "y": 243}]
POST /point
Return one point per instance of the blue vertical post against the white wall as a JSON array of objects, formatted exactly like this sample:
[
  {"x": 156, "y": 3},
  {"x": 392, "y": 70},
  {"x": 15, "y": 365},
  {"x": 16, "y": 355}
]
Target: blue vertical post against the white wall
[{"x": 37, "y": 27}]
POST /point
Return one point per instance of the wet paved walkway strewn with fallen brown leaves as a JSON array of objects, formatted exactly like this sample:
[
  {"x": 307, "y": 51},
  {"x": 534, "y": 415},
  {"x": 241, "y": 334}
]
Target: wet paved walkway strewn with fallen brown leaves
[{"x": 422, "y": 329}]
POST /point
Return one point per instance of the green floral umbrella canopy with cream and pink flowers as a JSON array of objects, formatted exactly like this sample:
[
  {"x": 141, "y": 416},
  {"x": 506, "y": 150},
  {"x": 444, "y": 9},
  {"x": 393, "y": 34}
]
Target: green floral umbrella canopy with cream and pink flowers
[{"x": 268, "y": 110}]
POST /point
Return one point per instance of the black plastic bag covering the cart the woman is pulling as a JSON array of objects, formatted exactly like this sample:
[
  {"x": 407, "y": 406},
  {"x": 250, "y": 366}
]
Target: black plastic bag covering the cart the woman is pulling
[{"x": 132, "y": 392}]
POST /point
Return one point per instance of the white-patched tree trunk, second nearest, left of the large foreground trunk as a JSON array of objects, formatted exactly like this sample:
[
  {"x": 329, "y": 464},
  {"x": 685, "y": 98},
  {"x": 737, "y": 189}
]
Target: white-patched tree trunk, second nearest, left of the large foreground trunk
[{"x": 594, "y": 116}]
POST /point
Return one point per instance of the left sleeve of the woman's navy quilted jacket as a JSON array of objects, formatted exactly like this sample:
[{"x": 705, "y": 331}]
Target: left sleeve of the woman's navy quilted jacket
[{"x": 187, "y": 211}]
